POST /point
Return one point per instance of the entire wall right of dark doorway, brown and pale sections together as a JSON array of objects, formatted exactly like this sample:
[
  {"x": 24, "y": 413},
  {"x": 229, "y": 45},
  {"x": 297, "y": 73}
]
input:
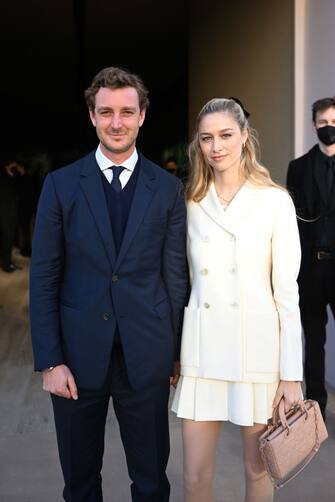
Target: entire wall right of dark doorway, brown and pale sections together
[{"x": 277, "y": 57}]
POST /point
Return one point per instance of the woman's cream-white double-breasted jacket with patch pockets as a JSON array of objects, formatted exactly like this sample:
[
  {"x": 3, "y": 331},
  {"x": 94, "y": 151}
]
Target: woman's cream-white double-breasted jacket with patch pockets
[{"x": 242, "y": 322}]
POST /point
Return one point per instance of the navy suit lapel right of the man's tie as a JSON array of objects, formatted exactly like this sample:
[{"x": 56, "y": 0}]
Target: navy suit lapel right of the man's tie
[{"x": 144, "y": 191}]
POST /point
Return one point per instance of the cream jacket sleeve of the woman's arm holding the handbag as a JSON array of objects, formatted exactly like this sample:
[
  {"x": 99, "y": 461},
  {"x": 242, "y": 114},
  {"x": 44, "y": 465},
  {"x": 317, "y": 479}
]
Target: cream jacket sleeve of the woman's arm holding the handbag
[{"x": 286, "y": 255}]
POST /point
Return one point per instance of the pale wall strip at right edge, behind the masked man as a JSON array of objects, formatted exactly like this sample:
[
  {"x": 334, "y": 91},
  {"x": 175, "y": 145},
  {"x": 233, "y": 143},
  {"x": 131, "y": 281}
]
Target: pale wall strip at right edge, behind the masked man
[{"x": 315, "y": 78}]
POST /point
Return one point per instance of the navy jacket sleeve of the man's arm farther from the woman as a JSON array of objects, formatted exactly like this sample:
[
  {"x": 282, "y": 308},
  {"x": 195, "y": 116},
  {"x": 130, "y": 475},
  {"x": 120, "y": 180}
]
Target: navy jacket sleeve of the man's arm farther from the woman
[{"x": 45, "y": 278}]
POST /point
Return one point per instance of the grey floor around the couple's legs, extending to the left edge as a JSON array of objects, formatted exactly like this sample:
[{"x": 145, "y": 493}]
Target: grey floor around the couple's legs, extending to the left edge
[{"x": 29, "y": 467}]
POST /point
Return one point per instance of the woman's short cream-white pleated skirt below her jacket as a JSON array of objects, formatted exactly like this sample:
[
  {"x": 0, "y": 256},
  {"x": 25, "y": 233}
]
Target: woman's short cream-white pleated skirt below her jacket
[{"x": 242, "y": 403}]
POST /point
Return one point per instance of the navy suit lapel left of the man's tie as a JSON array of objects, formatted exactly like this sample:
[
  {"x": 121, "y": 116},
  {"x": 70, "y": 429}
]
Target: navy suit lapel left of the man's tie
[{"x": 91, "y": 185}]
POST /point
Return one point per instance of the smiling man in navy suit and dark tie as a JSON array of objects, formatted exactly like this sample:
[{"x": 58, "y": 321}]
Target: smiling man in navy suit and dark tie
[{"x": 108, "y": 286}]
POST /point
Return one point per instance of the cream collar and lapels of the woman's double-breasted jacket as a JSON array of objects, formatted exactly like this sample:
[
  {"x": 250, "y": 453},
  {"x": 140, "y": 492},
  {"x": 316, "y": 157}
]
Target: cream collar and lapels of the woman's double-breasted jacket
[{"x": 235, "y": 215}]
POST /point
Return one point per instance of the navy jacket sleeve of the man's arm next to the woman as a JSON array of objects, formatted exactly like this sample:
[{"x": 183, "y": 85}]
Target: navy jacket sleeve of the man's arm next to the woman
[{"x": 175, "y": 273}]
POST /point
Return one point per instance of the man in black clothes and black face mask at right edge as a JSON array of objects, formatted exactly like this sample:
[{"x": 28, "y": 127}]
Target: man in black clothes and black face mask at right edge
[{"x": 310, "y": 180}]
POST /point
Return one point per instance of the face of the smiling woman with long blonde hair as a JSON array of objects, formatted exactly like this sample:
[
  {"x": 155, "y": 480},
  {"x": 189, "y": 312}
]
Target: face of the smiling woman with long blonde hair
[{"x": 221, "y": 141}]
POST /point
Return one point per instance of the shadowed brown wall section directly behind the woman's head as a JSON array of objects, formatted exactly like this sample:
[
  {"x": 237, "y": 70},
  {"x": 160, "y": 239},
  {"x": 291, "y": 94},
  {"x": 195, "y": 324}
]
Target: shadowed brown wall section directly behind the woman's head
[{"x": 246, "y": 49}]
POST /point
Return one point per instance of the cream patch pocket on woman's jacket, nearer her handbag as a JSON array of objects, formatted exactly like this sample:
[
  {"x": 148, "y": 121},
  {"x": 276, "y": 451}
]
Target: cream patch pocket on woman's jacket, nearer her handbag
[{"x": 262, "y": 342}]
